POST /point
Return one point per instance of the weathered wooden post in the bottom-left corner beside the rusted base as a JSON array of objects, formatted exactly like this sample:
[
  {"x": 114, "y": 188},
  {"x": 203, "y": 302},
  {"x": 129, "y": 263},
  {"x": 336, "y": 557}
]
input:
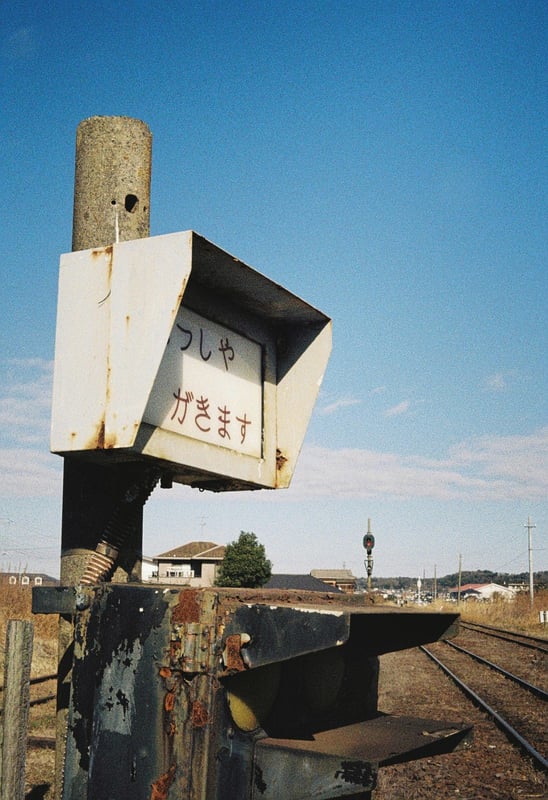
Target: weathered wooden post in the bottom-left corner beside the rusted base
[{"x": 13, "y": 744}]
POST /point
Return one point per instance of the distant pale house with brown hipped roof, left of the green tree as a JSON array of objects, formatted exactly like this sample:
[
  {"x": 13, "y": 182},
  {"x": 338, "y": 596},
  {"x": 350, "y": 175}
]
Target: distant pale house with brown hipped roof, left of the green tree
[{"x": 193, "y": 564}]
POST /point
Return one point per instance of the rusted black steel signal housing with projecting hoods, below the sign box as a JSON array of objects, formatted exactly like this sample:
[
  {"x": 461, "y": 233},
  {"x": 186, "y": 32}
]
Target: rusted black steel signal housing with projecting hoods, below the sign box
[{"x": 219, "y": 694}]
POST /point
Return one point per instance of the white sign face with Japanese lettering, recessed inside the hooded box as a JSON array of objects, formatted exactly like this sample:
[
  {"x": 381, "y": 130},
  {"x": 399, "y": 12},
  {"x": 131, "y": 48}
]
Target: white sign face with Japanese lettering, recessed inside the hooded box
[{"x": 209, "y": 386}]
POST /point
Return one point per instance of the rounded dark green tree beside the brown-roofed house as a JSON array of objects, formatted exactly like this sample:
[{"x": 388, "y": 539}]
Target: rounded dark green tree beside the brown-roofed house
[{"x": 245, "y": 563}]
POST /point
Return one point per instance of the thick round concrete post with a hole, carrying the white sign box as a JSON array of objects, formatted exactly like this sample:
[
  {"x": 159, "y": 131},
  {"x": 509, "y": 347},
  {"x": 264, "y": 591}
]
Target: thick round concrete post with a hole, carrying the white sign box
[{"x": 111, "y": 203}]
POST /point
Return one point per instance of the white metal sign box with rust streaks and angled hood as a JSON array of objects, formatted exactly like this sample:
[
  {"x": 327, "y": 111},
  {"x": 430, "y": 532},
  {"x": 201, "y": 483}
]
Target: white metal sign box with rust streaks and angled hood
[{"x": 171, "y": 349}]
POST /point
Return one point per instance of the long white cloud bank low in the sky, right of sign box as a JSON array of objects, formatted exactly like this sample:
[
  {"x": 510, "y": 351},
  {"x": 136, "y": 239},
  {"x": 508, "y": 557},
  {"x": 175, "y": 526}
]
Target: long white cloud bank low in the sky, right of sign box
[{"x": 486, "y": 468}]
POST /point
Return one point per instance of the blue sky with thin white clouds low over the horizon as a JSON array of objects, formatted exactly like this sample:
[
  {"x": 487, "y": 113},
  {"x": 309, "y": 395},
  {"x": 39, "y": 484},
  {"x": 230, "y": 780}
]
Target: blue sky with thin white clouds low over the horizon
[{"x": 386, "y": 161}]
